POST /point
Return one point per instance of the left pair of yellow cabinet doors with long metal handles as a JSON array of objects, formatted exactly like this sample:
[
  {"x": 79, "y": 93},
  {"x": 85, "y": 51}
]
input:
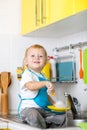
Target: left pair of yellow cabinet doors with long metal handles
[{"x": 35, "y": 14}]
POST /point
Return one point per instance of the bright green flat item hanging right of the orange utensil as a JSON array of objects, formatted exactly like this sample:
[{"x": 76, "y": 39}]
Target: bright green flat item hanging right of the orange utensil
[{"x": 85, "y": 65}]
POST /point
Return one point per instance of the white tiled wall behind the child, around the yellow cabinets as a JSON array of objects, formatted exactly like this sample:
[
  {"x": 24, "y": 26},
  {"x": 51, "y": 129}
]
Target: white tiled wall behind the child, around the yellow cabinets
[{"x": 13, "y": 46}]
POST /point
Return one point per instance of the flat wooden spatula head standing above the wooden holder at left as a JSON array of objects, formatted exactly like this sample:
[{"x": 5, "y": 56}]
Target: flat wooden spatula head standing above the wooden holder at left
[{"x": 5, "y": 81}]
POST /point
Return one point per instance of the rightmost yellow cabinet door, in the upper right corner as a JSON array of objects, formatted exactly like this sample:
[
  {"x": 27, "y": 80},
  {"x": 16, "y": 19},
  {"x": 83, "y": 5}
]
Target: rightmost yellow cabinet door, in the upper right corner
[{"x": 80, "y": 5}]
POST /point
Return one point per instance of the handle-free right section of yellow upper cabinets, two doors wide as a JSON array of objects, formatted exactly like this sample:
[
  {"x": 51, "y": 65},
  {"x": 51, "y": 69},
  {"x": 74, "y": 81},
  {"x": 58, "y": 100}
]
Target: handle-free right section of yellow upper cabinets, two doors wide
[{"x": 61, "y": 9}]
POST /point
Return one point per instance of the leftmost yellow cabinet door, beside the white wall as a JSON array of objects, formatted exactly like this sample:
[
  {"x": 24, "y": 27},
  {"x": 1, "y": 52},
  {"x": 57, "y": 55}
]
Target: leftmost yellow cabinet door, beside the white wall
[{"x": 28, "y": 16}]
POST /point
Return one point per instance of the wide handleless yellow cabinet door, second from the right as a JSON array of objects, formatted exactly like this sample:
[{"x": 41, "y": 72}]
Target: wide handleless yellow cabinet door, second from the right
[{"x": 61, "y": 9}]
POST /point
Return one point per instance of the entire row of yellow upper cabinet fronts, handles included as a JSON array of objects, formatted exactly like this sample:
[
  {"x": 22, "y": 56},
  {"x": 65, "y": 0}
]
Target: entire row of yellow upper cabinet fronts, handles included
[{"x": 40, "y": 13}]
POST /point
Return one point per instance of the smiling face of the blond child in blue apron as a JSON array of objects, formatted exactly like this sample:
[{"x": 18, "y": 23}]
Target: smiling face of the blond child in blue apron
[{"x": 36, "y": 59}]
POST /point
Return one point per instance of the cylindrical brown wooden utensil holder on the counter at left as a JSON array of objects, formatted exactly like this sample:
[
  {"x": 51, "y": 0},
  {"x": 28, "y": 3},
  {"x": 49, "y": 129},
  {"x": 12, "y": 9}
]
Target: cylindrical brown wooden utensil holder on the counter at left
[{"x": 4, "y": 104}]
